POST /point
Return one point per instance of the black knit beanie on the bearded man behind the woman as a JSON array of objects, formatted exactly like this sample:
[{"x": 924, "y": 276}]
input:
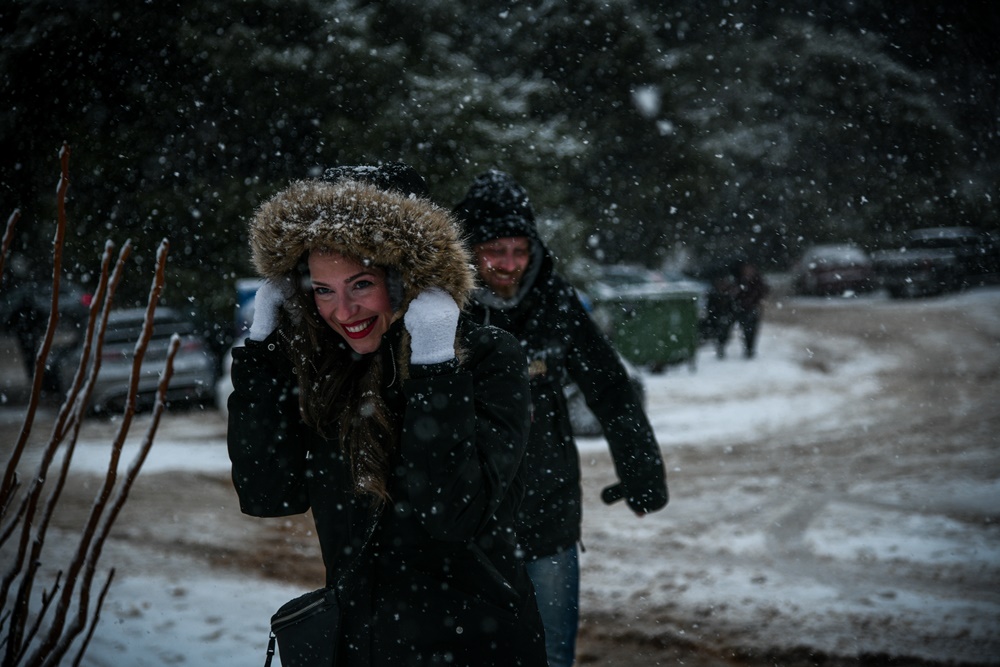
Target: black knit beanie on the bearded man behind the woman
[{"x": 496, "y": 207}]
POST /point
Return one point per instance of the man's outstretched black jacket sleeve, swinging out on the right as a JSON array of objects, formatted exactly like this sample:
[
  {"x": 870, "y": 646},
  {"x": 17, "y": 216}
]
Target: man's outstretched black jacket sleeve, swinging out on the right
[{"x": 596, "y": 368}]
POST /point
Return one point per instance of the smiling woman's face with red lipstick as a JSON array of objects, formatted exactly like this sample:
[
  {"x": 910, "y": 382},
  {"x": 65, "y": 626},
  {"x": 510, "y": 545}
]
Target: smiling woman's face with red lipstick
[{"x": 352, "y": 298}]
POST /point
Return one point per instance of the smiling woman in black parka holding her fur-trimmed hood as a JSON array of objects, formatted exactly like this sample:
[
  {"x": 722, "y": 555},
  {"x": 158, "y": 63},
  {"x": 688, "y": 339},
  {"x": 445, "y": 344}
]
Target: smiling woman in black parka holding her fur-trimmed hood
[{"x": 370, "y": 400}]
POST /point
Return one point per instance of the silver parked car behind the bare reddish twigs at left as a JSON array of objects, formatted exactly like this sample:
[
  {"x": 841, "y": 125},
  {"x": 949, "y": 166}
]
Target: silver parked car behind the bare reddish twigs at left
[{"x": 194, "y": 374}]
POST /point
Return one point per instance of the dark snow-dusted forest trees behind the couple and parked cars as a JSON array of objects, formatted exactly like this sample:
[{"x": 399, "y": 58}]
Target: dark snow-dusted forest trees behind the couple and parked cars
[{"x": 650, "y": 132}]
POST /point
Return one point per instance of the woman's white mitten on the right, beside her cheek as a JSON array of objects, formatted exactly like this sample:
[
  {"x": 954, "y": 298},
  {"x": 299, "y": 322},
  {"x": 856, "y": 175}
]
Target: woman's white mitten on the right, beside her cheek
[{"x": 432, "y": 320}]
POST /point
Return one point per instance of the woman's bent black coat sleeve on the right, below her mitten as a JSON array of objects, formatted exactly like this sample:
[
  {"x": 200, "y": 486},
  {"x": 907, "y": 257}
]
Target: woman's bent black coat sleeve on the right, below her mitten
[{"x": 465, "y": 429}]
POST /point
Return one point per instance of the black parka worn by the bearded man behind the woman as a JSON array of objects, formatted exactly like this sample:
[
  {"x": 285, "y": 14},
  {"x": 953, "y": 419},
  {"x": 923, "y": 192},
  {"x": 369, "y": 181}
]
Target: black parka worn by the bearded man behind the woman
[{"x": 562, "y": 344}]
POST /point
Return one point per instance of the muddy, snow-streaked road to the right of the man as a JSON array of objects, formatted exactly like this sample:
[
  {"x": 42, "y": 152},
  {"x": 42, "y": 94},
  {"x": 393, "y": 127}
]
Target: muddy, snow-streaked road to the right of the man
[{"x": 837, "y": 497}]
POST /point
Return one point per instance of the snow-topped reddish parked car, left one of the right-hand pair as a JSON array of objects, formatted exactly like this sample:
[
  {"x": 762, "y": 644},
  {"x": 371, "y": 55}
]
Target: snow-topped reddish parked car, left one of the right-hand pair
[{"x": 833, "y": 269}]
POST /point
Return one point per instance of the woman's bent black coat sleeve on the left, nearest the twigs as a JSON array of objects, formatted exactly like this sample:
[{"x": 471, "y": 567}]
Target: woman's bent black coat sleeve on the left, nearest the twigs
[{"x": 264, "y": 437}]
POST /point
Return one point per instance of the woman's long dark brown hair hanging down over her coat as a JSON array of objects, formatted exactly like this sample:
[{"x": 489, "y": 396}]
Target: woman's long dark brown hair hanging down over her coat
[{"x": 339, "y": 388}]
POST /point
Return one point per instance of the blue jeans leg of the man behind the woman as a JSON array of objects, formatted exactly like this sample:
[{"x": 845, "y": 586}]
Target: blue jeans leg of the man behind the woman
[{"x": 556, "y": 579}]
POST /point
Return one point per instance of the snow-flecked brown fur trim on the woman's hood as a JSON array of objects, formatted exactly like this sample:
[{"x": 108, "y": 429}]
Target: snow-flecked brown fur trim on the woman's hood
[{"x": 418, "y": 239}]
